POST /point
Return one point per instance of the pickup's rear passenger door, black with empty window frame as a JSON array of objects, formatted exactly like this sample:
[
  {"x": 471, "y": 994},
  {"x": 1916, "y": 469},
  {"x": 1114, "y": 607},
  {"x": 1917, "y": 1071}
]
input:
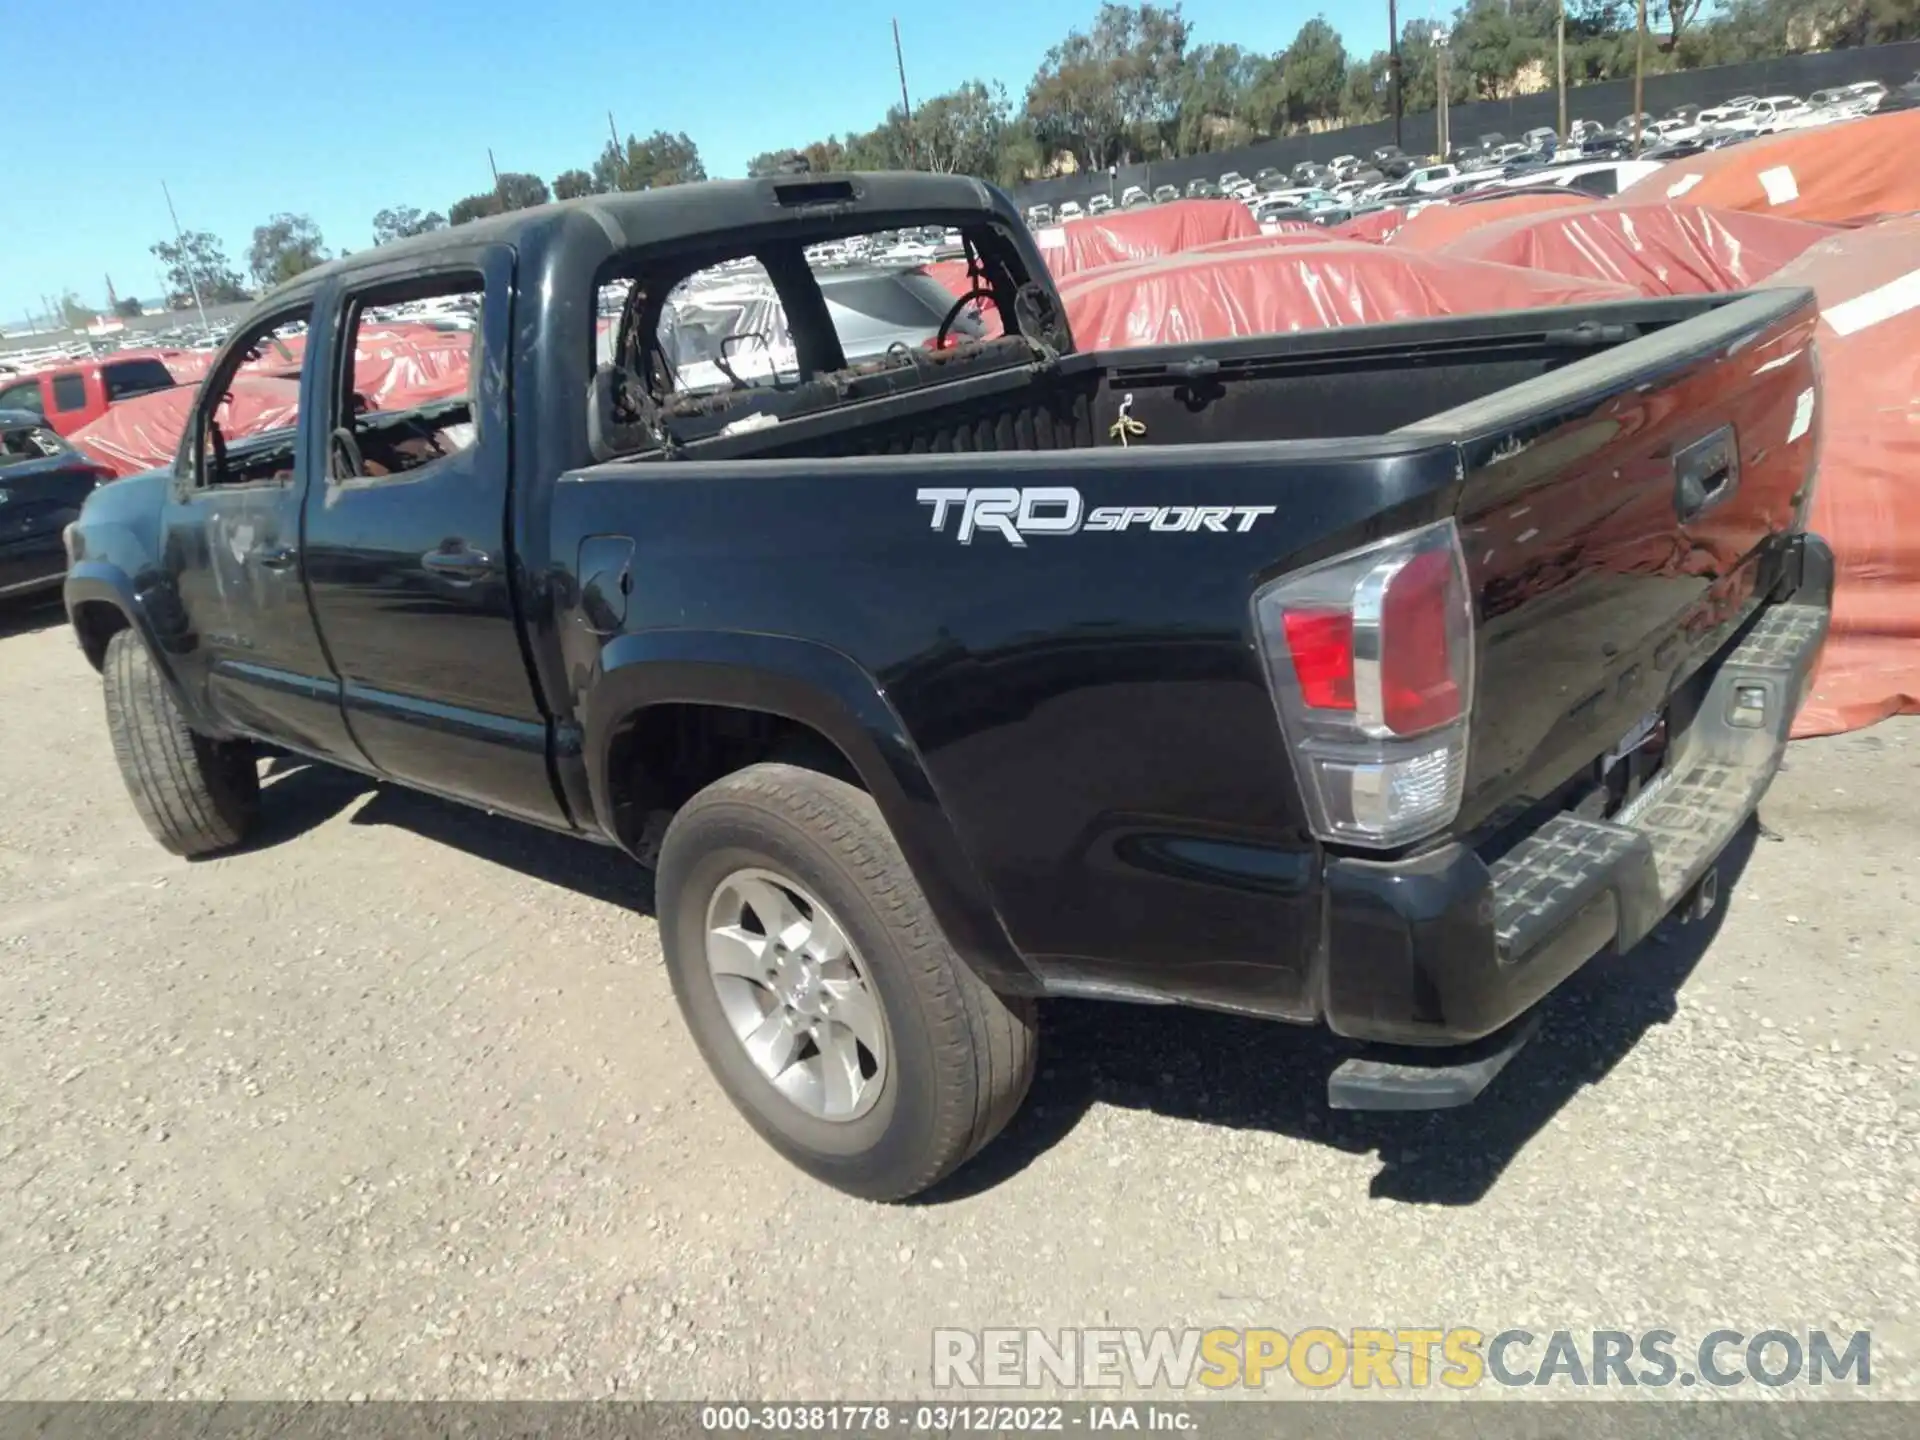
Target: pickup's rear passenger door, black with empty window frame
[{"x": 408, "y": 540}]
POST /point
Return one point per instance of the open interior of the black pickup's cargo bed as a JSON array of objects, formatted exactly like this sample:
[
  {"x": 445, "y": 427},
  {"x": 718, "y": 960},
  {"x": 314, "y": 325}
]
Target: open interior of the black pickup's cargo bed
[{"x": 1322, "y": 385}]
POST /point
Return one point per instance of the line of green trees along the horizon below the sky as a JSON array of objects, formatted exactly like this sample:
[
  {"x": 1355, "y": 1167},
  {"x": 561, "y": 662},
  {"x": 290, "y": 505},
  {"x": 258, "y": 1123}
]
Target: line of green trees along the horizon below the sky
[{"x": 1132, "y": 87}]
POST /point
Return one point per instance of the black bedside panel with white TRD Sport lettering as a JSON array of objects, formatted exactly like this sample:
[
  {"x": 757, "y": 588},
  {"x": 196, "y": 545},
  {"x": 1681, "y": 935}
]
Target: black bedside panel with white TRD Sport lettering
[{"x": 1090, "y": 709}]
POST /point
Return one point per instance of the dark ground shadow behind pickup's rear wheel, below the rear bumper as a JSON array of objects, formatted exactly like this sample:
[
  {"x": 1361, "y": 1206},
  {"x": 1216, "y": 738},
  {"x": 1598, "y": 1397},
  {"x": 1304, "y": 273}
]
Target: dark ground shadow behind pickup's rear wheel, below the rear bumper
[{"x": 1251, "y": 1074}]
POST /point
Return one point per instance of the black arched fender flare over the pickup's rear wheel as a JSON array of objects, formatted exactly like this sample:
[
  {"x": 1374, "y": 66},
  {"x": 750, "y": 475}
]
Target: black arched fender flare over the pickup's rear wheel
[{"x": 821, "y": 688}]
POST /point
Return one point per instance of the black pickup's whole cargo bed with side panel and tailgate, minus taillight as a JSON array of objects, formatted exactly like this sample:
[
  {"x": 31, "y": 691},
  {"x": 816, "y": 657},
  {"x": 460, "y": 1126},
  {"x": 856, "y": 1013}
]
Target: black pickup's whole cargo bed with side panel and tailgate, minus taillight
[{"x": 1093, "y": 709}]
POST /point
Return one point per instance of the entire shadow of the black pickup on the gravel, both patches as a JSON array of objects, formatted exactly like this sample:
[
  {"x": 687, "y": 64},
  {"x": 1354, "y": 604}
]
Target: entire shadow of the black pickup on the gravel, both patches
[{"x": 1184, "y": 1065}]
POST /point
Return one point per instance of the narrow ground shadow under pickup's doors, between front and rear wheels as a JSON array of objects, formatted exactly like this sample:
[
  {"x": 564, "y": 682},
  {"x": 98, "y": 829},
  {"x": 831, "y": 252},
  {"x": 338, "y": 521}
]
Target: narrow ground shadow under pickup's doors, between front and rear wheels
[{"x": 300, "y": 796}]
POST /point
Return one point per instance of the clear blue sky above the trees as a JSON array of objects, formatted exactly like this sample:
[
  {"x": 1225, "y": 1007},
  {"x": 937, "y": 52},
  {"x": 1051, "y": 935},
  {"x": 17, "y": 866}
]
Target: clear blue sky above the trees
[{"x": 345, "y": 107}]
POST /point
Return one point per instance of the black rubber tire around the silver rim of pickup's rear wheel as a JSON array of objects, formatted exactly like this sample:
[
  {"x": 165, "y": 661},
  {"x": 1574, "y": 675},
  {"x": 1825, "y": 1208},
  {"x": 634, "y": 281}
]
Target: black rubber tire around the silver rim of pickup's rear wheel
[{"x": 961, "y": 1057}]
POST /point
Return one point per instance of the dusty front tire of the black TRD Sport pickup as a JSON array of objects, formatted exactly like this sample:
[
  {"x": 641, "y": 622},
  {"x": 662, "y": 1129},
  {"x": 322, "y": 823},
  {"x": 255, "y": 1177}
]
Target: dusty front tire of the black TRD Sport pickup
[{"x": 197, "y": 796}]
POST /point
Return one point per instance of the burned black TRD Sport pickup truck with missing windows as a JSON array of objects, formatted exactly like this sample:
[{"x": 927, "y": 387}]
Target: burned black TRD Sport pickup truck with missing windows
[{"x": 1368, "y": 679}]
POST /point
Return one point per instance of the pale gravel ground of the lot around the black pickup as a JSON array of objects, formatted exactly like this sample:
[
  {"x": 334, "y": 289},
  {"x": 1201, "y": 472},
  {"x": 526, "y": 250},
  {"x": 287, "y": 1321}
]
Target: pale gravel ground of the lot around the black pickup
[{"x": 398, "y": 1105}]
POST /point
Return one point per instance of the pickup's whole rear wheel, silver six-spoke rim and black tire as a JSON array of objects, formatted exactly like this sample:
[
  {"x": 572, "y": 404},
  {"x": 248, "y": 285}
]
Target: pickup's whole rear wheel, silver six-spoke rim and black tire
[{"x": 823, "y": 994}]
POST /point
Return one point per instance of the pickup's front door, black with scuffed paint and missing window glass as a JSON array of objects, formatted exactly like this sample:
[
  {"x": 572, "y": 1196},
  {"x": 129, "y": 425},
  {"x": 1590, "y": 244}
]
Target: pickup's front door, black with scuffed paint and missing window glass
[{"x": 231, "y": 550}]
